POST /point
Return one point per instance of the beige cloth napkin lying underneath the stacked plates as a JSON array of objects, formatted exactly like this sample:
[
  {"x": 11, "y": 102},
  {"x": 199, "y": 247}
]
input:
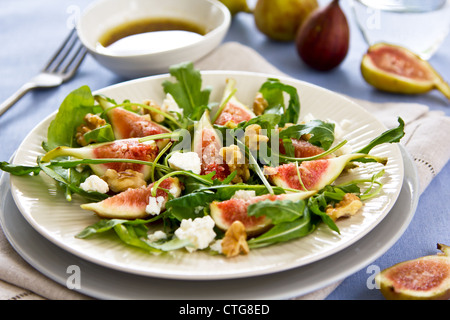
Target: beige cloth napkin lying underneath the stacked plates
[{"x": 430, "y": 149}]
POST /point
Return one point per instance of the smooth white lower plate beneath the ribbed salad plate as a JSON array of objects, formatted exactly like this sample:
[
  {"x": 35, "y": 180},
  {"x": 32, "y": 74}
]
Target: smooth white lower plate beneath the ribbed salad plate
[{"x": 96, "y": 281}]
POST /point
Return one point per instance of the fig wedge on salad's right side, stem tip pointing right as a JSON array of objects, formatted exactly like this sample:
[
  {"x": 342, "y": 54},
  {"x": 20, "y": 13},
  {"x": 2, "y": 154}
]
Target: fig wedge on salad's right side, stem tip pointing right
[{"x": 315, "y": 174}]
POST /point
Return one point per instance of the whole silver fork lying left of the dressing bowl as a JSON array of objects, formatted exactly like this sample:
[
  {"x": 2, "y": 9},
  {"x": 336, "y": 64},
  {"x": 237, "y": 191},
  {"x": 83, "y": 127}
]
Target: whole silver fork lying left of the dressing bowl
[{"x": 61, "y": 67}]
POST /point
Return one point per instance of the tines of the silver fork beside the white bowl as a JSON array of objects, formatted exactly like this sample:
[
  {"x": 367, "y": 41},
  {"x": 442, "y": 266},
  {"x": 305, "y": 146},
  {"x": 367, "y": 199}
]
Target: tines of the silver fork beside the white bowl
[{"x": 68, "y": 57}]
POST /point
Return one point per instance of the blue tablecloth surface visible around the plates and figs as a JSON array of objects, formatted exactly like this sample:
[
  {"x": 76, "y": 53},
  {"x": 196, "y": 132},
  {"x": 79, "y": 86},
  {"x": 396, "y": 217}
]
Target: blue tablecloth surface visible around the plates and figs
[{"x": 30, "y": 31}]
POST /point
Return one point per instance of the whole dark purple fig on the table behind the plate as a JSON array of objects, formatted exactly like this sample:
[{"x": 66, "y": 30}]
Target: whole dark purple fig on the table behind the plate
[{"x": 322, "y": 41}]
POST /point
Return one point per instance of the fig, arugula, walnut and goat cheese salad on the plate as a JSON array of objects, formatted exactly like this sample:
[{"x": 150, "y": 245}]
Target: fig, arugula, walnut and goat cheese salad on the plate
[{"x": 192, "y": 174}]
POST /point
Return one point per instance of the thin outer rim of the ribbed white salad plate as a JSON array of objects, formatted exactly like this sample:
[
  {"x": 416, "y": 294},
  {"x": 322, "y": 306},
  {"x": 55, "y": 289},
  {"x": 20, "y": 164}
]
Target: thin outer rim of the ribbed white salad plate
[{"x": 209, "y": 276}]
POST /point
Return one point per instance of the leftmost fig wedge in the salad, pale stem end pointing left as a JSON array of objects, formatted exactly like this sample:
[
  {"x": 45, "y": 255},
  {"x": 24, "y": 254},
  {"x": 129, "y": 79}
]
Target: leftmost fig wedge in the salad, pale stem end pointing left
[{"x": 118, "y": 149}]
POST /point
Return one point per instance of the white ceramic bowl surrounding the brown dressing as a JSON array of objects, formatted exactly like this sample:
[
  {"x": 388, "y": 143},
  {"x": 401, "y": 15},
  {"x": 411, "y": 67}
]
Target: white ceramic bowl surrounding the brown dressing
[{"x": 103, "y": 15}]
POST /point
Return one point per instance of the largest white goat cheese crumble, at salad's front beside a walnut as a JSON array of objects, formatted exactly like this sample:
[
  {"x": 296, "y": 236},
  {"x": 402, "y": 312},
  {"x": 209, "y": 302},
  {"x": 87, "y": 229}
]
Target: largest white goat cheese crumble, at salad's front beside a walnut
[{"x": 199, "y": 232}]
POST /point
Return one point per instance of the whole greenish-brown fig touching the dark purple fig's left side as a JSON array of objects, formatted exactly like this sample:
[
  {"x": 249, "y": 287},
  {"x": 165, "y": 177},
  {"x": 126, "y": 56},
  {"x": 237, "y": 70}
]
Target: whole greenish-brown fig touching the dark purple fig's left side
[{"x": 280, "y": 19}]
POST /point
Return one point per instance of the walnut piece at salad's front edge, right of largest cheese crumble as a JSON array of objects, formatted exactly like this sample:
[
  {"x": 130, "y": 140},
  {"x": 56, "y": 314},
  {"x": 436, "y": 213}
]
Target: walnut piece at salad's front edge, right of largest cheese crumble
[{"x": 235, "y": 241}]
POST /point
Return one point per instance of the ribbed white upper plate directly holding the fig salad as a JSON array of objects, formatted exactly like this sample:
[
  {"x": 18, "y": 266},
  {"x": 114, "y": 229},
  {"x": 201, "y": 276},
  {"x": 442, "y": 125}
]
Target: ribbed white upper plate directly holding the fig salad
[{"x": 45, "y": 208}]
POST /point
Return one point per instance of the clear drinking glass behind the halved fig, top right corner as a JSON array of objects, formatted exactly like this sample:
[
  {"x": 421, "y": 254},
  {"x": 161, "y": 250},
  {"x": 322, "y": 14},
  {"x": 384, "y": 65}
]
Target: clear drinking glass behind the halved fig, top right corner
[{"x": 418, "y": 25}]
